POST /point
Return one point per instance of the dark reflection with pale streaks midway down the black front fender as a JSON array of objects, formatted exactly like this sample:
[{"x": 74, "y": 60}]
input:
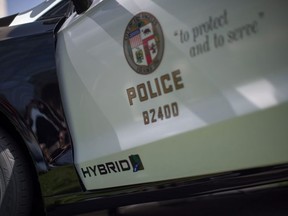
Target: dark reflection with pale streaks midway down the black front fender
[{"x": 46, "y": 119}]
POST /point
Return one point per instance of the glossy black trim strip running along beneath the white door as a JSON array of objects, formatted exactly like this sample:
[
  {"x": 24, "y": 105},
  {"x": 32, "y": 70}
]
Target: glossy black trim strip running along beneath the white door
[{"x": 181, "y": 188}]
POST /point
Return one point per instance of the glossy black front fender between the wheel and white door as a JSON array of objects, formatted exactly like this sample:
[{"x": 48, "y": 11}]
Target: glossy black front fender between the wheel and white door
[{"x": 30, "y": 104}]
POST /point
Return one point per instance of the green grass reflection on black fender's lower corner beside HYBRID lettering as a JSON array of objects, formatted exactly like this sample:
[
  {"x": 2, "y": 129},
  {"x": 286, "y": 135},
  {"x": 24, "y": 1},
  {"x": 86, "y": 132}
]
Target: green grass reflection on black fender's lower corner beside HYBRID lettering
[{"x": 59, "y": 180}]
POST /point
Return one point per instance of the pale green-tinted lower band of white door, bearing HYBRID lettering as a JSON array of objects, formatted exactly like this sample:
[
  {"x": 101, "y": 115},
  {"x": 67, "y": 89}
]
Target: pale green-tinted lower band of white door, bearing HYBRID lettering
[{"x": 209, "y": 153}]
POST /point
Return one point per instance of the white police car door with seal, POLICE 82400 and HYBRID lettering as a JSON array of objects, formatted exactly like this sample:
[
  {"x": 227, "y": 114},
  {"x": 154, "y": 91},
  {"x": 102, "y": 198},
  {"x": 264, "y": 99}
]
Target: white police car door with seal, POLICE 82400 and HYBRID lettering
[{"x": 157, "y": 90}]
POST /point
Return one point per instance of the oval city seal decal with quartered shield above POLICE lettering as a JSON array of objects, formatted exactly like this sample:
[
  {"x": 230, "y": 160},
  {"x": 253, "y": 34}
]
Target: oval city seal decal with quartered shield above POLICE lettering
[{"x": 144, "y": 43}]
